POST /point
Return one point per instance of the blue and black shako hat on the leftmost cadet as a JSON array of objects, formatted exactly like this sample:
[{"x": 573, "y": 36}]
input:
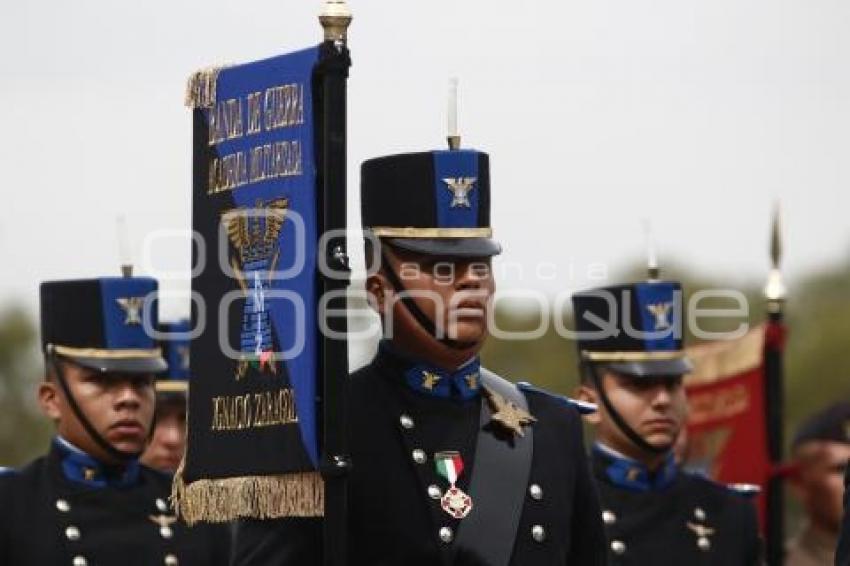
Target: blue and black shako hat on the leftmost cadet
[{"x": 102, "y": 323}]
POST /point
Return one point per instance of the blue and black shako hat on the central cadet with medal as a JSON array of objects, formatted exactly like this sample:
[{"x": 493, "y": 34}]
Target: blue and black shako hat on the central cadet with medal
[{"x": 433, "y": 202}]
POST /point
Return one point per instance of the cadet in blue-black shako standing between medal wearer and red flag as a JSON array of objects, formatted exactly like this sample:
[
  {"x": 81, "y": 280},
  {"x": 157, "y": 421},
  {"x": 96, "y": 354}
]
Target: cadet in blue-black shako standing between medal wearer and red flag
[{"x": 632, "y": 364}]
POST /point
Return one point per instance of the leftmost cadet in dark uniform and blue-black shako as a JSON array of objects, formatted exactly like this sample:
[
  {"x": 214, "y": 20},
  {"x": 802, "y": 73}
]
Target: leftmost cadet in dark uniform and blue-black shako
[{"x": 89, "y": 501}]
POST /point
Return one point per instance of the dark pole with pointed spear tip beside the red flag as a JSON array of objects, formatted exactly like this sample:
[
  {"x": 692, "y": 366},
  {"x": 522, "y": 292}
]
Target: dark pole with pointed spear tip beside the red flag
[{"x": 774, "y": 397}]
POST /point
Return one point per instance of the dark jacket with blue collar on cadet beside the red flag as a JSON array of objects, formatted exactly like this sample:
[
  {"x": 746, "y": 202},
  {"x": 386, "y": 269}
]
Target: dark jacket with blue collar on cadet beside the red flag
[{"x": 672, "y": 517}]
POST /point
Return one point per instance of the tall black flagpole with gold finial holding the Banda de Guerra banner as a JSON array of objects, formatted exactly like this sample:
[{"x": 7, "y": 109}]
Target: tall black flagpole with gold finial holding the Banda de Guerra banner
[{"x": 334, "y": 62}]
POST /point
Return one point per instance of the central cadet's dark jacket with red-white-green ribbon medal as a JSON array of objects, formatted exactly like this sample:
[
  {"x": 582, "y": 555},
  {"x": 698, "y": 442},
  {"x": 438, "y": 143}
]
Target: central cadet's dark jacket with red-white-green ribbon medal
[{"x": 395, "y": 518}]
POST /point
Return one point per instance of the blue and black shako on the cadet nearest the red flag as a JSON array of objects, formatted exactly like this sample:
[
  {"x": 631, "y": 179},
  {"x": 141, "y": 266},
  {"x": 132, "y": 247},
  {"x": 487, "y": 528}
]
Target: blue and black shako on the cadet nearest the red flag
[{"x": 634, "y": 329}]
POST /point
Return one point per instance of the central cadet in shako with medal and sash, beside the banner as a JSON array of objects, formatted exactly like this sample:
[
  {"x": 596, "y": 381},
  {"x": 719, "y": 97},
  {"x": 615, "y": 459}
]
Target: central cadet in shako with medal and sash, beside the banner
[{"x": 451, "y": 463}]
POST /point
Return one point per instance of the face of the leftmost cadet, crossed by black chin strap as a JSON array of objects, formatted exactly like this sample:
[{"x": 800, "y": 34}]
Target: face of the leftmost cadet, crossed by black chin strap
[{"x": 119, "y": 406}]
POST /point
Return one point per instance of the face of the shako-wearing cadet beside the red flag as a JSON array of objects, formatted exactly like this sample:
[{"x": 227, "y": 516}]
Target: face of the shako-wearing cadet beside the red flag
[{"x": 654, "y": 407}]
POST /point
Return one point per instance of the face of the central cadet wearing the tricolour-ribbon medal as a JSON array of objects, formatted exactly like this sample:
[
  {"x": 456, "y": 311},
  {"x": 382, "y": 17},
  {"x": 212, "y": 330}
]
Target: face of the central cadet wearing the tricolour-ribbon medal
[{"x": 454, "y": 293}]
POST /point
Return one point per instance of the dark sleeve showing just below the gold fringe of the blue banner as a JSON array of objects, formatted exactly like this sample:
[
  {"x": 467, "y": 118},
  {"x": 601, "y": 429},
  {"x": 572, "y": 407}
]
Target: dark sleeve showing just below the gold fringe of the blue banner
[{"x": 278, "y": 542}]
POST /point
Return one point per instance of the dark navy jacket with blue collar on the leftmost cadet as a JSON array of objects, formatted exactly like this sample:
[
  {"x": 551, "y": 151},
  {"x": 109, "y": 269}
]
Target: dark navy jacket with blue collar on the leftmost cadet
[{"x": 66, "y": 508}]
